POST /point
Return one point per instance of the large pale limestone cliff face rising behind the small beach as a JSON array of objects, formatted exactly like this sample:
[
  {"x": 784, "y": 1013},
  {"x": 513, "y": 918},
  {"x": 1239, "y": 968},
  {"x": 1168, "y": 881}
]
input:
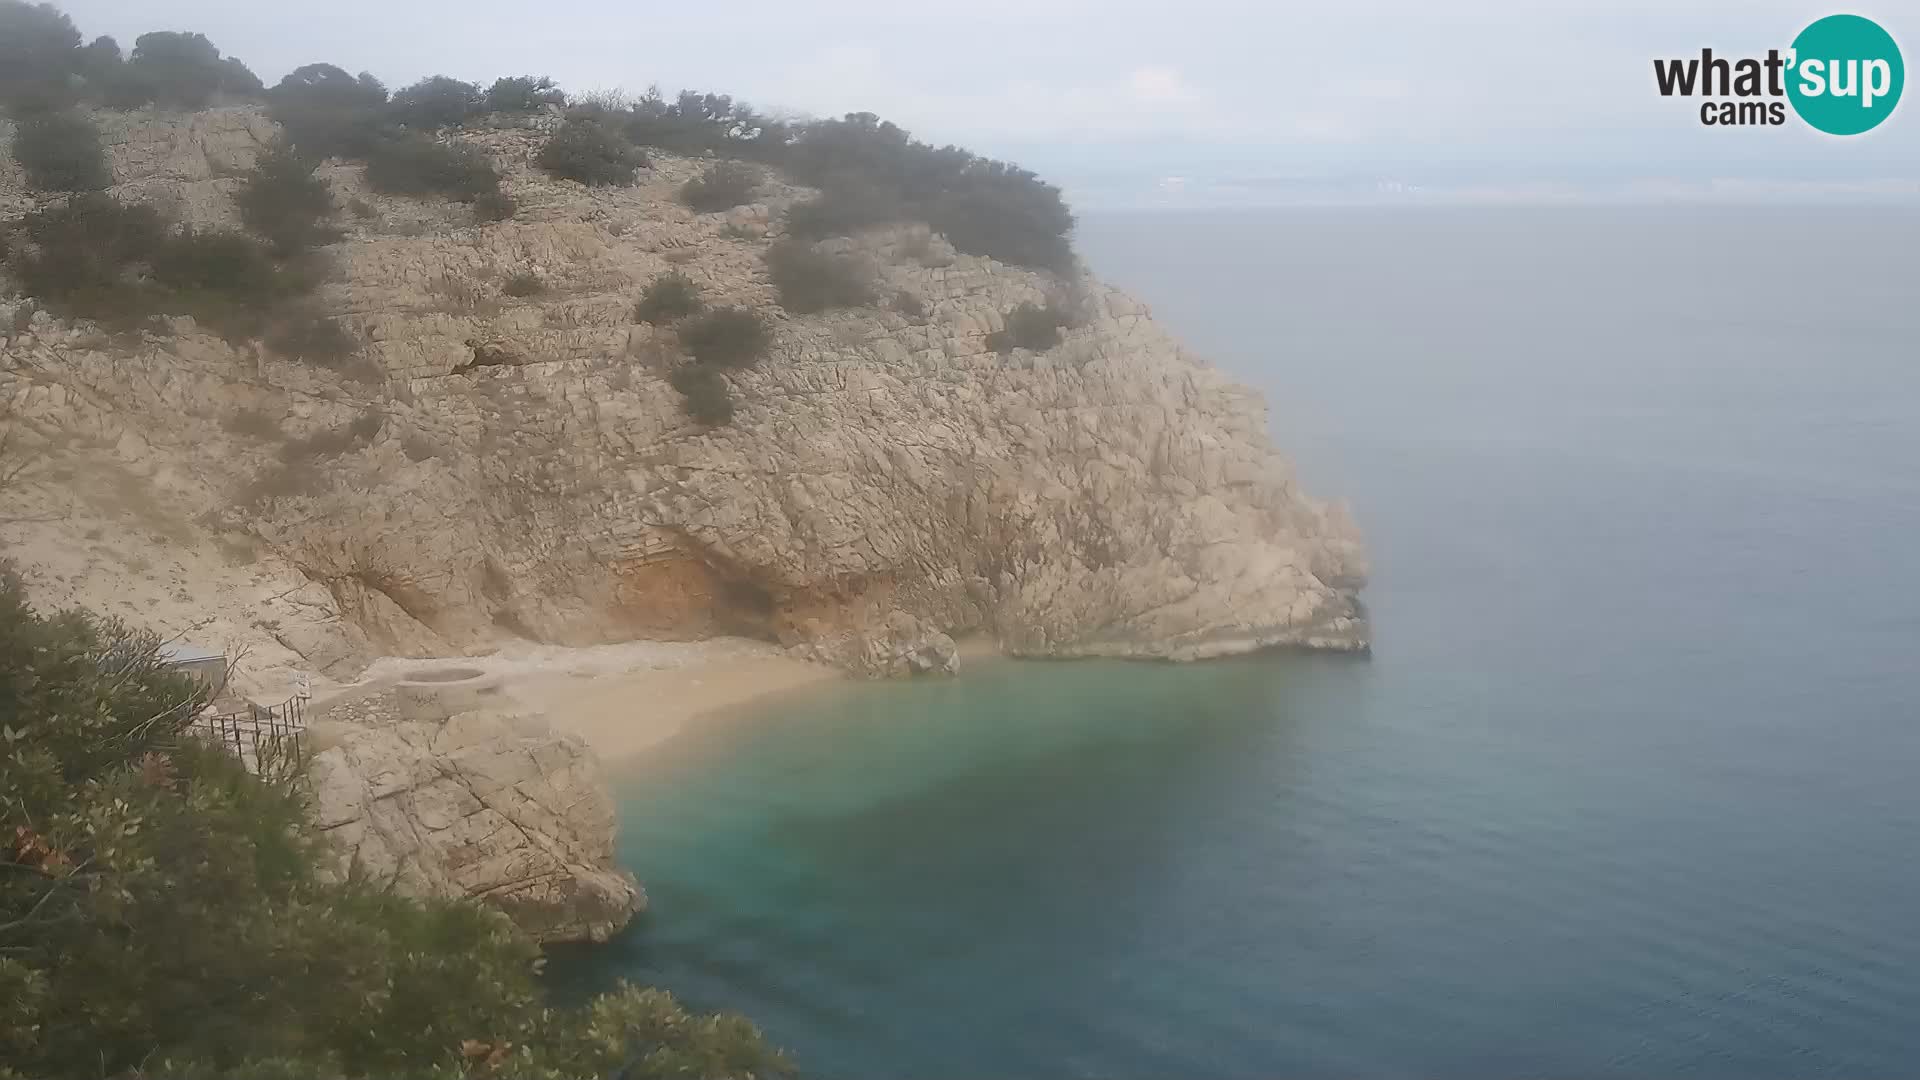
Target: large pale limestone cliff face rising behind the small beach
[{"x": 519, "y": 466}]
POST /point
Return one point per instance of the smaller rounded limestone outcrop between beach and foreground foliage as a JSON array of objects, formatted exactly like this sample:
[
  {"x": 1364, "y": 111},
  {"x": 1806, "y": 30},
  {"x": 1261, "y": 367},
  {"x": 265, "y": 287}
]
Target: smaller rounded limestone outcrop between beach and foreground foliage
[{"x": 479, "y": 804}]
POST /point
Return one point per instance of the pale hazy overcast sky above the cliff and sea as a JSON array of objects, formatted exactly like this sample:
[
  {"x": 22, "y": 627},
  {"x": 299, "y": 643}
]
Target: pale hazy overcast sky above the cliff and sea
[{"x": 1126, "y": 99}]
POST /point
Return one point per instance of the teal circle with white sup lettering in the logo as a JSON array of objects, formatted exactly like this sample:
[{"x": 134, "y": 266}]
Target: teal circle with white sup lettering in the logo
[{"x": 1846, "y": 76}]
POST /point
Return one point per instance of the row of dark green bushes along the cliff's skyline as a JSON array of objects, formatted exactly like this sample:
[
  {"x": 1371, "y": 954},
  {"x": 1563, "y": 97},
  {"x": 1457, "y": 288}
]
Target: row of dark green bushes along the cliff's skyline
[{"x": 871, "y": 172}]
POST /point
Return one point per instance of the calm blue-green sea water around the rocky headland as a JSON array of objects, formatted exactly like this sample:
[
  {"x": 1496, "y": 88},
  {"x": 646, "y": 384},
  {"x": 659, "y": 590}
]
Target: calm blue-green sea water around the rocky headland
[{"x": 1629, "y": 787}]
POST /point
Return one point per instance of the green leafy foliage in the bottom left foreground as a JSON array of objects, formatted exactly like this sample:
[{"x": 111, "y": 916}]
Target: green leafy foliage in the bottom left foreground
[{"x": 162, "y": 914}]
